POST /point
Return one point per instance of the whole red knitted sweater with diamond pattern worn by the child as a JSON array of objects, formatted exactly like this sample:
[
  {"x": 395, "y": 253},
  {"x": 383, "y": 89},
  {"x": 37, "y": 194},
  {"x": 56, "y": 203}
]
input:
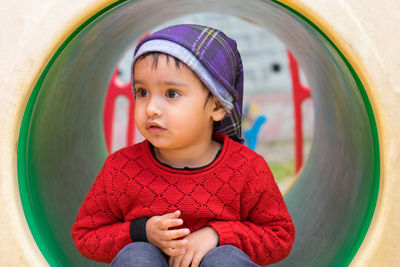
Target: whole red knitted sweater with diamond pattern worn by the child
[{"x": 236, "y": 195}]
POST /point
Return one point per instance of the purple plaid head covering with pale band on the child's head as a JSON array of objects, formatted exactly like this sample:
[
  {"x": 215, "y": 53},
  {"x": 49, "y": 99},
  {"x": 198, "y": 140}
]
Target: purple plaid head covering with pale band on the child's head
[{"x": 213, "y": 57}]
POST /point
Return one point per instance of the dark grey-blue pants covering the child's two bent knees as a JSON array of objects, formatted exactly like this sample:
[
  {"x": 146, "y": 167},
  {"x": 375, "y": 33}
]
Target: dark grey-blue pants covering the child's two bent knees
[{"x": 142, "y": 254}]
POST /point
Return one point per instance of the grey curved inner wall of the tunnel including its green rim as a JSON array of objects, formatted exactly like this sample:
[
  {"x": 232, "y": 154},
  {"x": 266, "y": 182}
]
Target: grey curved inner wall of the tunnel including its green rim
[{"x": 61, "y": 145}]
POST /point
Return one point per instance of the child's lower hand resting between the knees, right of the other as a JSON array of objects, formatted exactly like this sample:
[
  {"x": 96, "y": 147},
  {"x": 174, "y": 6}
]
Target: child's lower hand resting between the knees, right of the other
[{"x": 199, "y": 243}]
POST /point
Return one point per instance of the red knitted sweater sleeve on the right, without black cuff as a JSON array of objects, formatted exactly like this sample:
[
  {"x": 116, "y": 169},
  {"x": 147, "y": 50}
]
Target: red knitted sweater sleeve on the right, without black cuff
[{"x": 266, "y": 232}]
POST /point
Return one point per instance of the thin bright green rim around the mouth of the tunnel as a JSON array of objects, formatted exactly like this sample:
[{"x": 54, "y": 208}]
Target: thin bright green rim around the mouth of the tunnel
[{"x": 27, "y": 195}]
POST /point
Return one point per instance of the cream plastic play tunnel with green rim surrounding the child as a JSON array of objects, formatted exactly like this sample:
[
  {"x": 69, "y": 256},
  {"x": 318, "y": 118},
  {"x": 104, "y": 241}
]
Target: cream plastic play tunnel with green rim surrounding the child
[{"x": 58, "y": 56}]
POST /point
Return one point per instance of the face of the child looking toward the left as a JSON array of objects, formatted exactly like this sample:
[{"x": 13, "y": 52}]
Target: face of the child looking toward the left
[{"x": 171, "y": 109}]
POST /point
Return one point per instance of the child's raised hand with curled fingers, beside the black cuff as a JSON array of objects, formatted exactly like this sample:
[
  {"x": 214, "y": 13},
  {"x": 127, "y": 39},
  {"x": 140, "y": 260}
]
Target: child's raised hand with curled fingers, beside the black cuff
[{"x": 158, "y": 234}]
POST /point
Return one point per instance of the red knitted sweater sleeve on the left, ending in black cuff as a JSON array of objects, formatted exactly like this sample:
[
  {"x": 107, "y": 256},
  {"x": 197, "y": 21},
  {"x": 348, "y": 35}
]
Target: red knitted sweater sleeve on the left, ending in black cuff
[{"x": 99, "y": 232}]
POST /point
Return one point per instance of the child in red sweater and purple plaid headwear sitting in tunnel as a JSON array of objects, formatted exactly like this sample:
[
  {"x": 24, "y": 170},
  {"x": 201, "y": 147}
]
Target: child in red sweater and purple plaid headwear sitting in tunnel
[{"x": 190, "y": 194}]
